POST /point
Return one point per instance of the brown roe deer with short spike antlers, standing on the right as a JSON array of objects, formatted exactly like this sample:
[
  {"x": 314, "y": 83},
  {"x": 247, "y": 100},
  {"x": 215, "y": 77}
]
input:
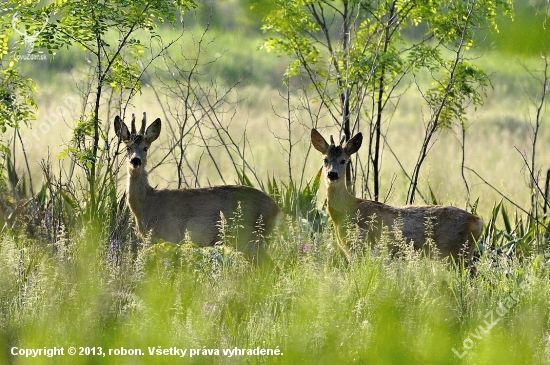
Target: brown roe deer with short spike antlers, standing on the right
[{"x": 453, "y": 230}]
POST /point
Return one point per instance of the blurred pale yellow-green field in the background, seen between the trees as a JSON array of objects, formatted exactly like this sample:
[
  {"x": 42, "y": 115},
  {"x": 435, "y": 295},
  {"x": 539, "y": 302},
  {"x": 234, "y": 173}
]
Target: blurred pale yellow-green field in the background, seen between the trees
[{"x": 237, "y": 61}]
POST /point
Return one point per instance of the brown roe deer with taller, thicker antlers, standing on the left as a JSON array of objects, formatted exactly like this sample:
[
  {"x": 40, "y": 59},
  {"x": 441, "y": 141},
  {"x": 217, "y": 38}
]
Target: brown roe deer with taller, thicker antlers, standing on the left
[{"x": 170, "y": 214}]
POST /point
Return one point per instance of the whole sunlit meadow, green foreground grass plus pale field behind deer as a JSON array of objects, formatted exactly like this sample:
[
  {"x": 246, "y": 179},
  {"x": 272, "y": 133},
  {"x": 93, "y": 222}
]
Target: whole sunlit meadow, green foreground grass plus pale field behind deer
[{"x": 113, "y": 298}]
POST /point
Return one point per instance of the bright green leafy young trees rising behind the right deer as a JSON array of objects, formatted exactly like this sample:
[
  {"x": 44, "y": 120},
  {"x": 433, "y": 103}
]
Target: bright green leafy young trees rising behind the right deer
[{"x": 357, "y": 55}]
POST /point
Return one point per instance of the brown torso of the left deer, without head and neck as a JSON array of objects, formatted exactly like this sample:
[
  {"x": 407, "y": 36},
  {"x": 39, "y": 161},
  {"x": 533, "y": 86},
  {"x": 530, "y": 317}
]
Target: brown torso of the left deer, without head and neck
[{"x": 170, "y": 214}]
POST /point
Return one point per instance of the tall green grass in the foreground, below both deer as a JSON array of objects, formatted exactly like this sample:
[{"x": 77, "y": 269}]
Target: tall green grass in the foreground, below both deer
[{"x": 309, "y": 305}]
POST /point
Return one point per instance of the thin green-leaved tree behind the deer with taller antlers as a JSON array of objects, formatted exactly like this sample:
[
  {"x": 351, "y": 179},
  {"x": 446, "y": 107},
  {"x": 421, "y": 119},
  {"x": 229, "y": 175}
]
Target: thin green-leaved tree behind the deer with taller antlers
[{"x": 108, "y": 31}]
